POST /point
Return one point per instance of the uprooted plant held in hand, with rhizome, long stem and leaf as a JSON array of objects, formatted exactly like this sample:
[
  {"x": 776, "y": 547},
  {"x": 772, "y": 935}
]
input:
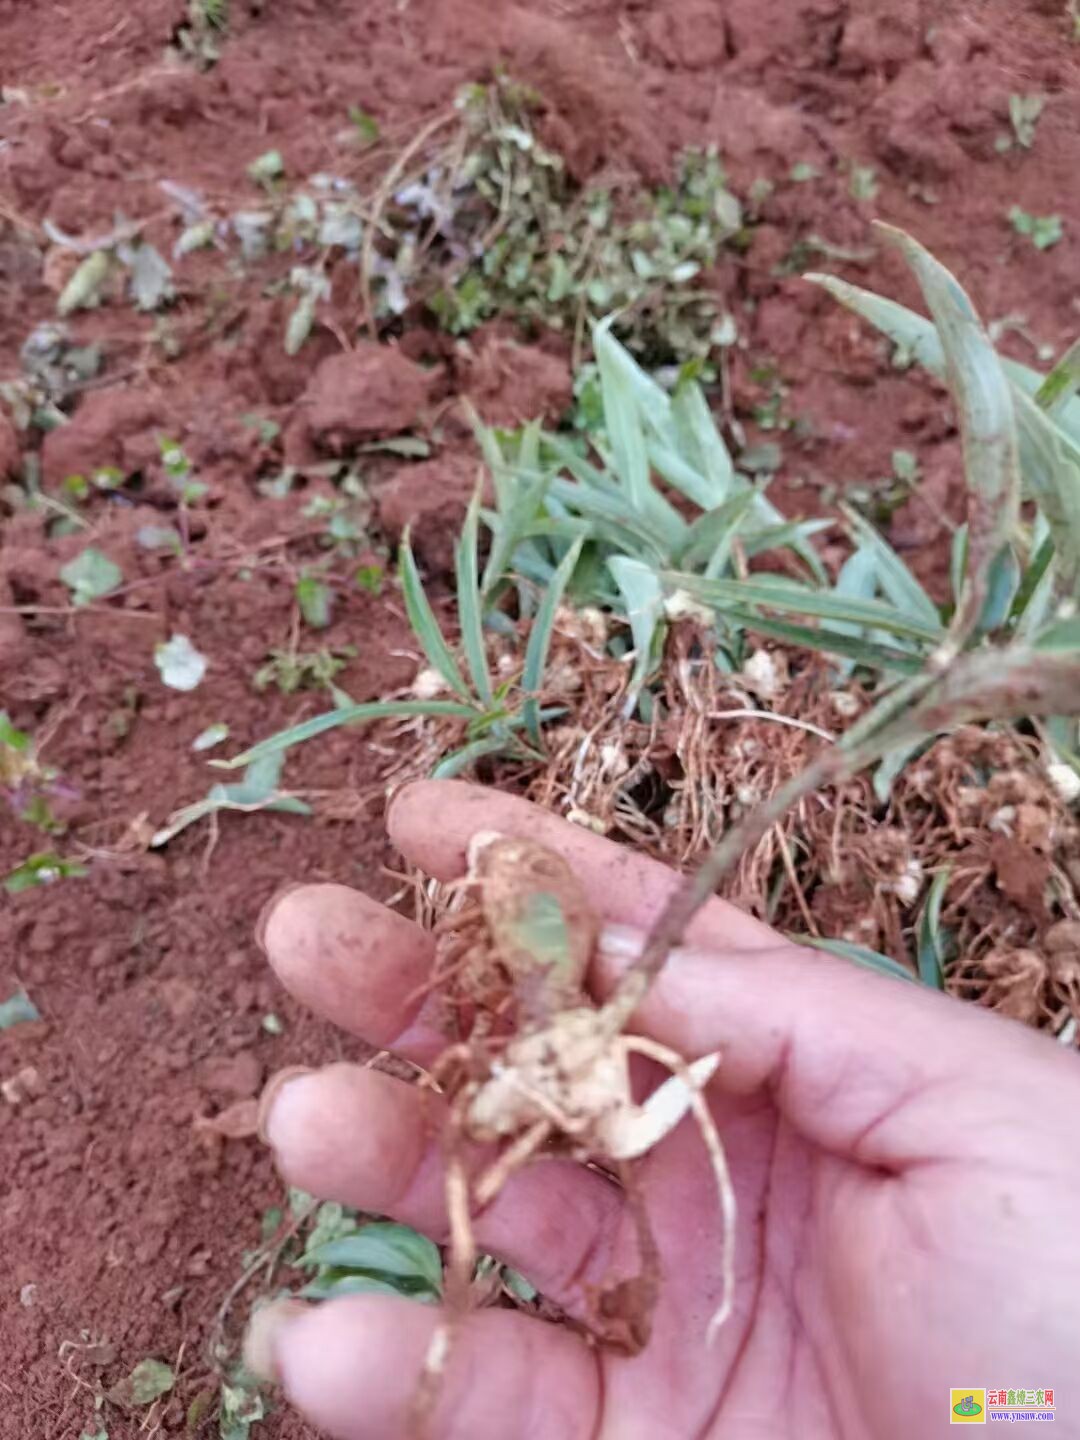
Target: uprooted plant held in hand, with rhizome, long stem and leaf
[{"x": 539, "y": 1066}]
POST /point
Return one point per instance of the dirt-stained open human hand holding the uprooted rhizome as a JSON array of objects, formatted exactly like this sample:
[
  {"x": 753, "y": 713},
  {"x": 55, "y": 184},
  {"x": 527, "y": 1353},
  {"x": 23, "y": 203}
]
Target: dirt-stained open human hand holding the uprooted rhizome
[{"x": 906, "y": 1167}]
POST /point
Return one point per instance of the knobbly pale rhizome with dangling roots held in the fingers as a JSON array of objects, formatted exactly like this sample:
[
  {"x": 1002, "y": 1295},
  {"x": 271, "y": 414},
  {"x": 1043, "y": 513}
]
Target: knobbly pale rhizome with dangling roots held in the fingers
[{"x": 538, "y": 1066}]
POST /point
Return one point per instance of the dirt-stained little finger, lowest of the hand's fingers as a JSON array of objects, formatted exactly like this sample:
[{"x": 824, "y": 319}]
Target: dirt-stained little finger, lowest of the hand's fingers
[{"x": 352, "y": 1367}]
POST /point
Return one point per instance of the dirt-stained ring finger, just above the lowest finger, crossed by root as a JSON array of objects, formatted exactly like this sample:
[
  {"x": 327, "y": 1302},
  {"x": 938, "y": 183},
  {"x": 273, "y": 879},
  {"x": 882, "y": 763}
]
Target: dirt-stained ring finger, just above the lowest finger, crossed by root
[{"x": 371, "y": 1141}]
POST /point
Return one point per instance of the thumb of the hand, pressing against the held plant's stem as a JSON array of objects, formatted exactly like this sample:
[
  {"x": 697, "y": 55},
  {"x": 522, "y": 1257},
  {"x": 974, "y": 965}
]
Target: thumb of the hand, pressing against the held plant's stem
[{"x": 869, "y": 1068}]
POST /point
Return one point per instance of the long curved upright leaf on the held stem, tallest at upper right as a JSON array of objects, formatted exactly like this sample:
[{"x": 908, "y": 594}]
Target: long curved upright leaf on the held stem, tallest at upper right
[{"x": 989, "y": 428}]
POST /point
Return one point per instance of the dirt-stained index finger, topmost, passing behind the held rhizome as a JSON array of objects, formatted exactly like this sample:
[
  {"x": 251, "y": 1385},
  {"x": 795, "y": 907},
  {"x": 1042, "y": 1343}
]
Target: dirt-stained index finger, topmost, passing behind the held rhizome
[{"x": 433, "y": 823}]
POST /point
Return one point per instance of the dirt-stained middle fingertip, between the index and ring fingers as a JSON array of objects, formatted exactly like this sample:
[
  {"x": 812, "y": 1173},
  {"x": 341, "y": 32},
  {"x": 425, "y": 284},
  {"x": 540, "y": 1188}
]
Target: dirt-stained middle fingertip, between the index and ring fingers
[{"x": 355, "y": 963}]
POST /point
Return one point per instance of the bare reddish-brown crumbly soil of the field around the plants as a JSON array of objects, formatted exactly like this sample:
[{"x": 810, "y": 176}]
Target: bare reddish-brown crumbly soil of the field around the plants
[{"x": 125, "y": 1225}]
